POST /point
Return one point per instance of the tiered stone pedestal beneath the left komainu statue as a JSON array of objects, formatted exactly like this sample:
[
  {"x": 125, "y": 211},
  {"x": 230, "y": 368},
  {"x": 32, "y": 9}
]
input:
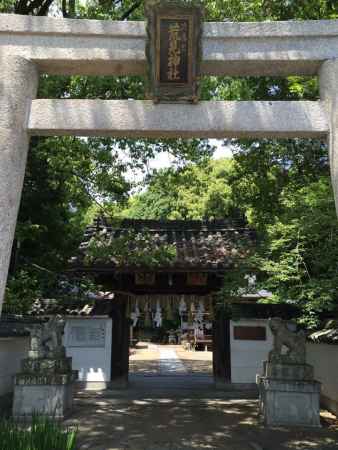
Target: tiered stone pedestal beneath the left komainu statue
[{"x": 45, "y": 386}]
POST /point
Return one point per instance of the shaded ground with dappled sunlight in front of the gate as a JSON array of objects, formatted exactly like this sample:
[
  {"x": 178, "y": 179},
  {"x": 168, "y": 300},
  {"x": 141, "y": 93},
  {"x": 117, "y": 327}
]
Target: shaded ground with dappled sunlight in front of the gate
[{"x": 179, "y": 419}]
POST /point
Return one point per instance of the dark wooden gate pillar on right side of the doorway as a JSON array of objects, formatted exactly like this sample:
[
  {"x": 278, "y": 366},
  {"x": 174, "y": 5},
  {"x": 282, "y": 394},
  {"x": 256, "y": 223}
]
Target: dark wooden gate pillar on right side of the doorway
[{"x": 221, "y": 351}]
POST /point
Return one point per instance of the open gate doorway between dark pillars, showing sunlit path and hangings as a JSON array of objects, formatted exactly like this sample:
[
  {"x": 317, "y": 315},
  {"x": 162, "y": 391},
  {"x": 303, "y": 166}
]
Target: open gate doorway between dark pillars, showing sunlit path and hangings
[{"x": 171, "y": 339}]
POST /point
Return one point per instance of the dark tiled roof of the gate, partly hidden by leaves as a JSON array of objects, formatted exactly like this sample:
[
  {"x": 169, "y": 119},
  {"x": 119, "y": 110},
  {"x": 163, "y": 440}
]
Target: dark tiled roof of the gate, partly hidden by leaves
[{"x": 200, "y": 245}]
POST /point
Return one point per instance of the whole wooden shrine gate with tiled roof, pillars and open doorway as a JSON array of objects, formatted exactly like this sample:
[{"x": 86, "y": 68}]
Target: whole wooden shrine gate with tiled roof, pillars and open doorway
[{"x": 173, "y": 302}]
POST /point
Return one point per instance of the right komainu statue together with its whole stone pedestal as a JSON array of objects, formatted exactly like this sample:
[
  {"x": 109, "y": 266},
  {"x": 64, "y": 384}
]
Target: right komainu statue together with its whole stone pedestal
[{"x": 288, "y": 393}]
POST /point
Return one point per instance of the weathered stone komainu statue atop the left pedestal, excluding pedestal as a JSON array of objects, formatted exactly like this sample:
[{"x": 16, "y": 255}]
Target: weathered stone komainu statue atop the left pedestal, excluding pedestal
[{"x": 46, "y": 339}]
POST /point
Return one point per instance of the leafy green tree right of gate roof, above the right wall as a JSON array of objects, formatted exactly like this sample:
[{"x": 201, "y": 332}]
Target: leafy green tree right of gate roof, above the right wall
[{"x": 300, "y": 253}]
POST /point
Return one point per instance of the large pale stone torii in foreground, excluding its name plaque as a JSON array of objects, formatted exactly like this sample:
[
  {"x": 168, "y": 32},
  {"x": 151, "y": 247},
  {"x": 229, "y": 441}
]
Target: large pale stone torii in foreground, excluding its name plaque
[{"x": 33, "y": 45}]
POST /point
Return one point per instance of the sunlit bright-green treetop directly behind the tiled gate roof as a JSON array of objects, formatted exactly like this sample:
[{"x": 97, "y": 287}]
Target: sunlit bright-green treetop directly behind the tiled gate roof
[{"x": 192, "y": 192}]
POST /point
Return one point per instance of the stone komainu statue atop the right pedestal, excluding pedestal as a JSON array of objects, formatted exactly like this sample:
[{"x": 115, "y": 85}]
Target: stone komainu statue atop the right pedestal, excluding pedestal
[{"x": 295, "y": 343}]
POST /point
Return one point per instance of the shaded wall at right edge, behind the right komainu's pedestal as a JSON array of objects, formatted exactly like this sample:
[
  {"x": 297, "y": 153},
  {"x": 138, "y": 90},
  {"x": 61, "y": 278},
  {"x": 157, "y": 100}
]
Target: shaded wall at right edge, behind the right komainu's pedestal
[{"x": 324, "y": 358}]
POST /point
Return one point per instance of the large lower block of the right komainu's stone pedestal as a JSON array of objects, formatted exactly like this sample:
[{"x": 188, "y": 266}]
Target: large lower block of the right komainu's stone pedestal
[{"x": 289, "y": 403}]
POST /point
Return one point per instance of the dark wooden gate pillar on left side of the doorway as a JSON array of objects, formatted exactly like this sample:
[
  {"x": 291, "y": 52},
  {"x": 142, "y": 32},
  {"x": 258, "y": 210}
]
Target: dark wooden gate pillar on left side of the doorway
[{"x": 120, "y": 343}]
